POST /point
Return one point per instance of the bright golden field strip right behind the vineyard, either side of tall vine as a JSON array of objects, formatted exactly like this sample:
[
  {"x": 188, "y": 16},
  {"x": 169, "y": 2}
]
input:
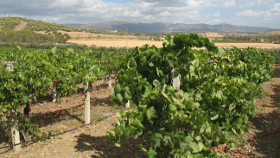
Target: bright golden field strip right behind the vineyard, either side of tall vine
[{"x": 134, "y": 43}]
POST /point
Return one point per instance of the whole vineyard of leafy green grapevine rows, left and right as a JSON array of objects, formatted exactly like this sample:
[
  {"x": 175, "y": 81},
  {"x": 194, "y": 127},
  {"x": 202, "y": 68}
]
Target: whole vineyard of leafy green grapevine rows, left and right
[{"x": 187, "y": 102}]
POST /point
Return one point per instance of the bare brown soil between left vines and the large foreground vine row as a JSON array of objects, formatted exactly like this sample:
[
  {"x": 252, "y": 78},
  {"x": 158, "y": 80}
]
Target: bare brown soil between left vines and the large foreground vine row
[{"x": 87, "y": 141}]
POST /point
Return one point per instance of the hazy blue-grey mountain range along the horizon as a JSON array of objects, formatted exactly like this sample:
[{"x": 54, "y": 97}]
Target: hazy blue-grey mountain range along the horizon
[{"x": 159, "y": 27}]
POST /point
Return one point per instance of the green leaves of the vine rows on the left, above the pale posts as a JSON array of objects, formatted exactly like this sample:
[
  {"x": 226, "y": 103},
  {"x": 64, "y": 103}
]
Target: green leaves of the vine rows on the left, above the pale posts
[{"x": 36, "y": 70}]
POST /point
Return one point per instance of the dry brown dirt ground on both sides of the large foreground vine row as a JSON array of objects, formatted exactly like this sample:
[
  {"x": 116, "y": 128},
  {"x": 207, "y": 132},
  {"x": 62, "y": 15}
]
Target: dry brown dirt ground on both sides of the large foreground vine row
[{"x": 263, "y": 140}]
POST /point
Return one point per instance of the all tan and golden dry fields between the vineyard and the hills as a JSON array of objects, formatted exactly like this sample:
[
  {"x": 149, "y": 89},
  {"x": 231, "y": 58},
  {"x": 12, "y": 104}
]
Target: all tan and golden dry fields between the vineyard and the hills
[{"x": 109, "y": 40}]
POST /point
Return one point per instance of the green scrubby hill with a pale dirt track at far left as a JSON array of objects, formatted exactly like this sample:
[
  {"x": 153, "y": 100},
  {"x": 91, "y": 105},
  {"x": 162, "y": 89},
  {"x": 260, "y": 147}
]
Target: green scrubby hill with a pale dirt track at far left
[{"x": 23, "y": 30}]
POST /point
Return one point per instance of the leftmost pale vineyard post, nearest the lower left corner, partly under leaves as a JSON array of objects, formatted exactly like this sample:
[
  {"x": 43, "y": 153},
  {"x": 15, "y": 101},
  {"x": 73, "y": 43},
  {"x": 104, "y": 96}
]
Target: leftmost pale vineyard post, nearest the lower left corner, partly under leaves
[{"x": 15, "y": 130}]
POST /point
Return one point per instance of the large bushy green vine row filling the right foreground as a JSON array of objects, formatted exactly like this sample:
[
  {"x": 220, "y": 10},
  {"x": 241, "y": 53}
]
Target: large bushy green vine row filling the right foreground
[{"x": 216, "y": 97}]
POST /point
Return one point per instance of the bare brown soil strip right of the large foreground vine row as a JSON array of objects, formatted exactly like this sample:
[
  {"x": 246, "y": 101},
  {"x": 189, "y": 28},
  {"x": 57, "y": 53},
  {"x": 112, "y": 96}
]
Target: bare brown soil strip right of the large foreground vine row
[{"x": 263, "y": 140}]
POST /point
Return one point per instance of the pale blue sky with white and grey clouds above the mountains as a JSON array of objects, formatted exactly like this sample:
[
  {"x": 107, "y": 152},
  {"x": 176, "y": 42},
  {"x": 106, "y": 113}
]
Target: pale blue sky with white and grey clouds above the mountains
[{"x": 259, "y": 13}]
